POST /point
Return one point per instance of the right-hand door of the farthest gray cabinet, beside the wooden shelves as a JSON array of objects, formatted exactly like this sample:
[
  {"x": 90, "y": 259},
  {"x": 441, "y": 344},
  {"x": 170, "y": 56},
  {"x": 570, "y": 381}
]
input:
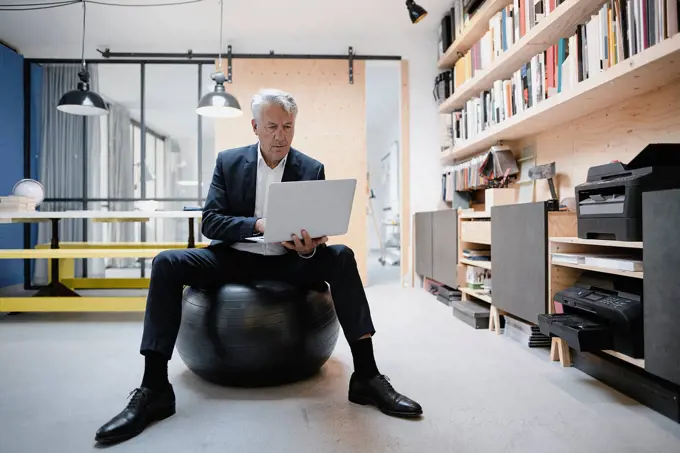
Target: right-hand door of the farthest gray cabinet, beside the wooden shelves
[{"x": 445, "y": 247}]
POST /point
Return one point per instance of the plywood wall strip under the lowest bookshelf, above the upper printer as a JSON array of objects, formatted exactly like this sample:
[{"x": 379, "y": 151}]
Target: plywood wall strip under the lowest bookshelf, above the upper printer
[{"x": 615, "y": 133}]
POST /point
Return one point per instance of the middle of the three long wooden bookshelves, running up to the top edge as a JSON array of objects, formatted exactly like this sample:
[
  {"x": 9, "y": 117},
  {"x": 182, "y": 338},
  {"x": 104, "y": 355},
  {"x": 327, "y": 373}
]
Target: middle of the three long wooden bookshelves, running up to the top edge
[{"x": 561, "y": 22}]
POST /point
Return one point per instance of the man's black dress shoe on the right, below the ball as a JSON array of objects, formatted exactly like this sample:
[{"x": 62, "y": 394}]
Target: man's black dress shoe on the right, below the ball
[{"x": 379, "y": 392}]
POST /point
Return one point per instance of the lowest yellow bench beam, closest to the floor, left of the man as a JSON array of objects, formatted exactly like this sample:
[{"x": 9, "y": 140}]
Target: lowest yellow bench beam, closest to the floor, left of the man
[{"x": 73, "y": 304}]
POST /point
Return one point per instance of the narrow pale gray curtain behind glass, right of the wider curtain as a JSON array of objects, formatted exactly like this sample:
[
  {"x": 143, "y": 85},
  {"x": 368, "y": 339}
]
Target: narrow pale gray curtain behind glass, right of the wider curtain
[{"x": 121, "y": 180}]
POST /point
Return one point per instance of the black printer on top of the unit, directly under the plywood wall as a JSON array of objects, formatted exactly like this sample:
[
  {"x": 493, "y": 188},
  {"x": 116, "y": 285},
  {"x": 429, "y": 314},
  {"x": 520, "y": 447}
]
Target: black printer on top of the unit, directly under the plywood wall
[{"x": 609, "y": 203}]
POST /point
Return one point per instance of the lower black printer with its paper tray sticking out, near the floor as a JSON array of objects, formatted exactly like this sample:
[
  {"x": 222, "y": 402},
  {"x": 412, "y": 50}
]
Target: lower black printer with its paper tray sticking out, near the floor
[{"x": 599, "y": 312}]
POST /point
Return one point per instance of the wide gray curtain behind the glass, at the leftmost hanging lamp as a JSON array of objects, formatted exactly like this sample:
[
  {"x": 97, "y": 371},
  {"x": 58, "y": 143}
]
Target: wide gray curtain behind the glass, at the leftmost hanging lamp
[{"x": 61, "y": 156}]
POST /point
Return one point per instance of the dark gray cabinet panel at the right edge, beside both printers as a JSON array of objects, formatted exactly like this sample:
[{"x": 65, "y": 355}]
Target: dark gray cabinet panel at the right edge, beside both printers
[{"x": 661, "y": 287}]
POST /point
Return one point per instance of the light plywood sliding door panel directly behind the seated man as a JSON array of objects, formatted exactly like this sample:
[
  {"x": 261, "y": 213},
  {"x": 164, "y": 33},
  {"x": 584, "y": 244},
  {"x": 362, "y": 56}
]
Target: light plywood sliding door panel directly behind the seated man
[{"x": 330, "y": 127}]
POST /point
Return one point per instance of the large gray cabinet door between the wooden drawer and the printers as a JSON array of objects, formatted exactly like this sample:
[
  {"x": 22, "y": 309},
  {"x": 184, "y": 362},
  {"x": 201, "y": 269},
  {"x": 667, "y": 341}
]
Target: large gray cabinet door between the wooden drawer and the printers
[{"x": 519, "y": 259}]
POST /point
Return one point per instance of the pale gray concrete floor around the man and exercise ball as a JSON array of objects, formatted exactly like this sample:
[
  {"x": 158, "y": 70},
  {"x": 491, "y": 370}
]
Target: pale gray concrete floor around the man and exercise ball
[{"x": 61, "y": 376}]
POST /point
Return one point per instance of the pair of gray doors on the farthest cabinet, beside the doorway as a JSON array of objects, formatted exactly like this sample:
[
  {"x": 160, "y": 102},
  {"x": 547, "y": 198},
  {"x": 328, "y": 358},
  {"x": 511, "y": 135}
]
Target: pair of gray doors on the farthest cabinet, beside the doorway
[{"x": 436, "y": 239}]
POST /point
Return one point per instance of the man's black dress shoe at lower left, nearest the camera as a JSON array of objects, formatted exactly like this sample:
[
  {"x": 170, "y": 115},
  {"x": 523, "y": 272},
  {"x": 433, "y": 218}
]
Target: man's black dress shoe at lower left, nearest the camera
[{"x": 145, "y": 406}]
